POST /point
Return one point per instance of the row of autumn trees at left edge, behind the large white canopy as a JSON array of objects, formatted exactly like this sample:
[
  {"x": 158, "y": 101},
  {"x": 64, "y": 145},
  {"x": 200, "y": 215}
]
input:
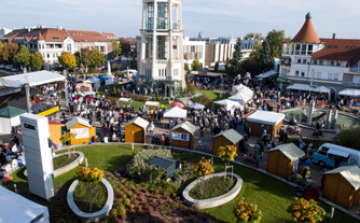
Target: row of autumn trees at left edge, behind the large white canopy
[{"x": 11, "y": 54}]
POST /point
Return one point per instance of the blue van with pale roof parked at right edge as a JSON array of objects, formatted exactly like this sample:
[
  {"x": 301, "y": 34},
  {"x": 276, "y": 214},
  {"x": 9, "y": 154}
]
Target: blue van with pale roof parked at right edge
[{"x": 334, "y": 156}]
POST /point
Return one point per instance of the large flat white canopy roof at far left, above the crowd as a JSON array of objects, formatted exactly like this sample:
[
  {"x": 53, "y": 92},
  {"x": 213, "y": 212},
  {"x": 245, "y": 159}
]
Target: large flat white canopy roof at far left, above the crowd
[{"x": 33, "y": 78}]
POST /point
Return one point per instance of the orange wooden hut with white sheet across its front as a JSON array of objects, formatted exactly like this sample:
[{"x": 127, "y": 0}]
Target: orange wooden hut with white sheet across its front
[{"x": 82, "y": 129}]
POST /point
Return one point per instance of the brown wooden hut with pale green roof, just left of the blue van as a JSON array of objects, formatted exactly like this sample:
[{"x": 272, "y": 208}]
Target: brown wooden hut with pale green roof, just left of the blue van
[{"x": 284, "y": 159}]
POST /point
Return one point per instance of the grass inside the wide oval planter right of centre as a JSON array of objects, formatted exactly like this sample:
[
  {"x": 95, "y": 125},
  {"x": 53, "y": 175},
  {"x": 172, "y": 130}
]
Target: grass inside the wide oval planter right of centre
[{"x": 214, "y": 187}]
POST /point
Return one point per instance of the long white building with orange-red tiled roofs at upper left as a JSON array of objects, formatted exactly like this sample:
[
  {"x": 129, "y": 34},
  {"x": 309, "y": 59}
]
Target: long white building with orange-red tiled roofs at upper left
[{"x": 51, "y": 42}]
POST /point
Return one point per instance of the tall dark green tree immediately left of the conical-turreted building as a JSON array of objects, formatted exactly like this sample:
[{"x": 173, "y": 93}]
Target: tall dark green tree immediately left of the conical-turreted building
[{"x": 275, "y": 39}]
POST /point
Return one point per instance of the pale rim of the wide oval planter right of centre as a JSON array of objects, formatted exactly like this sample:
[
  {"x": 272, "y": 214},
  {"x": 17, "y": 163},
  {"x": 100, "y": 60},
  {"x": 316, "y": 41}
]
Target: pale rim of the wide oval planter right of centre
[{"x": 216, "y": 201}]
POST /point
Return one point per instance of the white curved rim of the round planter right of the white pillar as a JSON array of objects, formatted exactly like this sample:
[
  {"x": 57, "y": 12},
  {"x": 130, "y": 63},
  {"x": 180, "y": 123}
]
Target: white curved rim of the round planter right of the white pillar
[{"x": 95, "y": 216}]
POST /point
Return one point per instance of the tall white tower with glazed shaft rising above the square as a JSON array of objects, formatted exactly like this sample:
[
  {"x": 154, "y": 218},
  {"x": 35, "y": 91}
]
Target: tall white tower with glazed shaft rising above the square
[{"x": 161, "y": 67}]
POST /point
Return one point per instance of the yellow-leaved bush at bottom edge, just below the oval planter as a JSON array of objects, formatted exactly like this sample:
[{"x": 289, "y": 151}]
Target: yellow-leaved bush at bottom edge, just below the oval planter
[{"x": 247, "y": 212}]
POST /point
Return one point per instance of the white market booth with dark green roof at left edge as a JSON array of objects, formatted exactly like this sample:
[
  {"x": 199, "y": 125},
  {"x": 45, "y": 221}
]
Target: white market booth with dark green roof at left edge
[{"x": 9, "y": 118}]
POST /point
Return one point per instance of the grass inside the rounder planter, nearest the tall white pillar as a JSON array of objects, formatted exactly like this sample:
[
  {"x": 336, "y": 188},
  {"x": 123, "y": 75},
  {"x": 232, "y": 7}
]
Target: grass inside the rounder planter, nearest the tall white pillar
[{"x": 98, "y": 197}]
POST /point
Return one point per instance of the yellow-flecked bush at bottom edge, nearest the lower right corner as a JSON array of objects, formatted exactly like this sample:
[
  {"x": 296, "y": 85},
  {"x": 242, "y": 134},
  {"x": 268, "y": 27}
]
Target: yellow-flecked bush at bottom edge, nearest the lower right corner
[{"x": 303, "y": 210}]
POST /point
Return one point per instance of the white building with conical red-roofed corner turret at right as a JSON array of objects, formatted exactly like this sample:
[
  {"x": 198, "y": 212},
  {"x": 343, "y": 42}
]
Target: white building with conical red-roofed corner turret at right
[{"x": 331, "y": 62}]
